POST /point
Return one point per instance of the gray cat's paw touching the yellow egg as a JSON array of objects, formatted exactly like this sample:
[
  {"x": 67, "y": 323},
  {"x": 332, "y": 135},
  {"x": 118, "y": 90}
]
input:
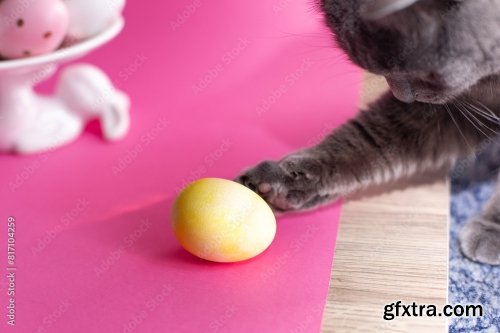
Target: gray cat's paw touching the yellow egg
[{"x": 292, "y": 184}]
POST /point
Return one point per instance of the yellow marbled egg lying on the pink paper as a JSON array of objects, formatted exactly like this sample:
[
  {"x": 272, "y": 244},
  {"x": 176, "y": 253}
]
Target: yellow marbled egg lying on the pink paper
[{"x": 223, "y": 221}]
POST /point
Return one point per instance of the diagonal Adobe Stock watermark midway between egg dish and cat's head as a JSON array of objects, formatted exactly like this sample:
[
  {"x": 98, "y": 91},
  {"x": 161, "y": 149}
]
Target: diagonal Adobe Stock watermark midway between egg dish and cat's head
[{"x": 227, "y": 59}]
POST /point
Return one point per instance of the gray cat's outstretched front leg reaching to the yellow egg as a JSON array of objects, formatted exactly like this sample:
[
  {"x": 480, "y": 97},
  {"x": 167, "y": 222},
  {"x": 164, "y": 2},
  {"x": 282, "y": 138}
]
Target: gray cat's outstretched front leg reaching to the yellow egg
[{"x": 387, "y": 142}]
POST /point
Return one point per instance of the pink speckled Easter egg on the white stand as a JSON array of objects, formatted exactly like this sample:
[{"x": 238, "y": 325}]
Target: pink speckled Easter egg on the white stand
[{"x": 29, "y": 28}]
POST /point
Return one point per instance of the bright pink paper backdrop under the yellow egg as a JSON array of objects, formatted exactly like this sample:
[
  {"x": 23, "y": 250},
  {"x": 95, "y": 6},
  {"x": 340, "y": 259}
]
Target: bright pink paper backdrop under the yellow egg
[{"x": 216, "y": 86}]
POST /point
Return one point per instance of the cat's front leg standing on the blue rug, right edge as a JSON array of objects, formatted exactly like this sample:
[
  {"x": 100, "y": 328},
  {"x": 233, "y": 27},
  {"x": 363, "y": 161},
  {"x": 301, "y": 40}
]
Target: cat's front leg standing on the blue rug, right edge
[{"x": 480, "y": 238}]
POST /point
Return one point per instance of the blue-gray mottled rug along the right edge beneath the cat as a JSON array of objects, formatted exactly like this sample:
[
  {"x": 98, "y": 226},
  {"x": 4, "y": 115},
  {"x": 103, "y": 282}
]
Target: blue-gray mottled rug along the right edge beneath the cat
[{"x": 473, "y": 283}]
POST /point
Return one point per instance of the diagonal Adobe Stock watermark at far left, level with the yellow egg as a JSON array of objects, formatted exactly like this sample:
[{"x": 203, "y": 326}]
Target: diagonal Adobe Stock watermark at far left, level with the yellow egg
[{"x": 65, "y": 220}]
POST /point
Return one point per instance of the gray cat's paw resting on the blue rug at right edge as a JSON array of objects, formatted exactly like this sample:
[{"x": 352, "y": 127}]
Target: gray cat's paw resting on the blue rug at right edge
[{"x": 480, "y": 241}]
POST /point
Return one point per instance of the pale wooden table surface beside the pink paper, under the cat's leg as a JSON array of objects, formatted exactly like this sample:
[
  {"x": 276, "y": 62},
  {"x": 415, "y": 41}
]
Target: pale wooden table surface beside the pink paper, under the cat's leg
[{"x": 391, "y": 246}]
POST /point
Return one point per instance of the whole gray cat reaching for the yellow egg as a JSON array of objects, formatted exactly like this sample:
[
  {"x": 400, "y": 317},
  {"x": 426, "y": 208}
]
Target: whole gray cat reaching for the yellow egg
[{"x": 441, "y": 59}]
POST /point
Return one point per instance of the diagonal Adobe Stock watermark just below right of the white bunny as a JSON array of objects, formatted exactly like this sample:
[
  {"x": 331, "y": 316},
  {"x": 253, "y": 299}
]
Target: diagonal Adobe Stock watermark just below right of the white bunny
[{"x": 138, "y": 148}]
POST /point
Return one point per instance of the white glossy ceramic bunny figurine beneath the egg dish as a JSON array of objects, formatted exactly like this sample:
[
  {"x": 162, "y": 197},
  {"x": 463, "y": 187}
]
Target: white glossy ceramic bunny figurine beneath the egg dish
[{"x": 32, "y": 123}]
